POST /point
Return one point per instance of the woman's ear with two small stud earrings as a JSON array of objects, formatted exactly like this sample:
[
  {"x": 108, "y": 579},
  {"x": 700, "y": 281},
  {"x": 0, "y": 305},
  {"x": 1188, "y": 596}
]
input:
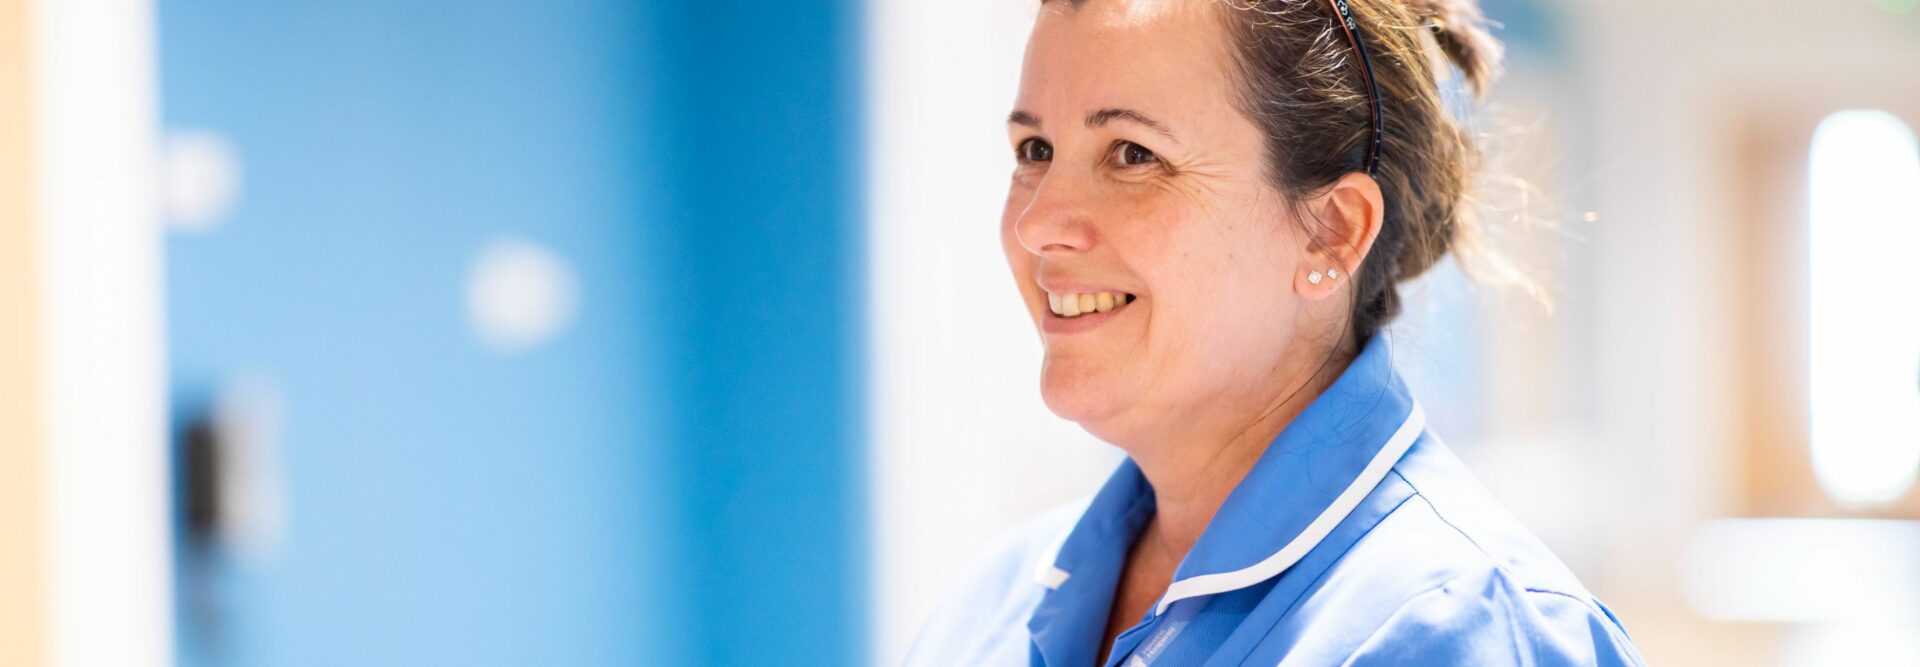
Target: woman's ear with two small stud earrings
[{"x": 1341, "y": 230}]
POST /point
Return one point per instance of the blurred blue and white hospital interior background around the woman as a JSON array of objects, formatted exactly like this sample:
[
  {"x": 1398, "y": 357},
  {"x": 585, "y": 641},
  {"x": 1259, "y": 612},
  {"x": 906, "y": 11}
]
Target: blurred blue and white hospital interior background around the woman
[{"x": 598, "y": 333}]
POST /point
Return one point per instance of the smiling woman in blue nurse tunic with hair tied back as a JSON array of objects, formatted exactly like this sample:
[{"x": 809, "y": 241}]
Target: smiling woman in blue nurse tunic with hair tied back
[{"x": 1212, "y": 207}]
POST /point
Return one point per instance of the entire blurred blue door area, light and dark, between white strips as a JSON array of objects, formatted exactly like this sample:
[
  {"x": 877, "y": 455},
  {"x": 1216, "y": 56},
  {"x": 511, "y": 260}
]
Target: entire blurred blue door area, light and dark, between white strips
[{"x": 558, "y": 310}]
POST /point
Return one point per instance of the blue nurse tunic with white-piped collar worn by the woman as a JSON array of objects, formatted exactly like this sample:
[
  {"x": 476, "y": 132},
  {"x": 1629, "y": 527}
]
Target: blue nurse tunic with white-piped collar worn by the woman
[{"x": 1358, "y": 539}]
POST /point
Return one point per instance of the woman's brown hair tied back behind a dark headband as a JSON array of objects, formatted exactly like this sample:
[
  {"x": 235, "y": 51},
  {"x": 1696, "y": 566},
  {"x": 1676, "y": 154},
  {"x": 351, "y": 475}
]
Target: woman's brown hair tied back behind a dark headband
[{"x": 1303, "y": 86}]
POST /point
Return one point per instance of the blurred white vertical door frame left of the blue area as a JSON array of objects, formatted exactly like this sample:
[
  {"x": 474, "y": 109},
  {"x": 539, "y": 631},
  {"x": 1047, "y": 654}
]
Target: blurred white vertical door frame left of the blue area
[{"x": 97, "y": 116}]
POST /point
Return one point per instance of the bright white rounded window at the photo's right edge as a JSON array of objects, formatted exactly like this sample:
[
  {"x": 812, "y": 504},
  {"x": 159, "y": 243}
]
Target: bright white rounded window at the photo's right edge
[{"x": 1865, "y": 307}]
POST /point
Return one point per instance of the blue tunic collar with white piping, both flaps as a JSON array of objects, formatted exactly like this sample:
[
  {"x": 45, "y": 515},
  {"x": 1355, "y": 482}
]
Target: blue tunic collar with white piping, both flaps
[{"x": 1308, "y": 480}]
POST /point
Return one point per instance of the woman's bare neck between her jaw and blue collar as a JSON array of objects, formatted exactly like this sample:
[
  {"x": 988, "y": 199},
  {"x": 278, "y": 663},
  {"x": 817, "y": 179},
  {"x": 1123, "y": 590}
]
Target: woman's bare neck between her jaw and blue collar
[{"x": 1205, "y": 460}]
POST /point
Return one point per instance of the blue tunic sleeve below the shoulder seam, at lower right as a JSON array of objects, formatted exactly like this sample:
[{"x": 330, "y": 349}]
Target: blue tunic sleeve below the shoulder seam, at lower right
[{"x": 1485, "y": 620}]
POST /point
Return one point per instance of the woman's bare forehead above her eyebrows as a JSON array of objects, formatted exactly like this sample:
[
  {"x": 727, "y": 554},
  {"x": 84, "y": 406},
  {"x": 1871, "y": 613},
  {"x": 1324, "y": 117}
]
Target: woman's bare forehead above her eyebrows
[{"x": 1134, "y": 53}]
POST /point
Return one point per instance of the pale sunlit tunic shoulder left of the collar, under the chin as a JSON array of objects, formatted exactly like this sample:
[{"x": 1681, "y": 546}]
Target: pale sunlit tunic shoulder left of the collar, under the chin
[{"x": 984, "y": 618}]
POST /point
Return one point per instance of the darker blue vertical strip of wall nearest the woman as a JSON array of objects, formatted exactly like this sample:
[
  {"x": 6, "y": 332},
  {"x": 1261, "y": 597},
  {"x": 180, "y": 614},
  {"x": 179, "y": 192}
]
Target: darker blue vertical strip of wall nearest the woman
[{"x": 765, "y": 191}]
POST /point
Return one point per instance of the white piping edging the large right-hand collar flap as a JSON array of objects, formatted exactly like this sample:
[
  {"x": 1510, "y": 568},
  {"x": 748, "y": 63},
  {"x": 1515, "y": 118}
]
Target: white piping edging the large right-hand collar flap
[{"x": 1293, "y": 553}]
